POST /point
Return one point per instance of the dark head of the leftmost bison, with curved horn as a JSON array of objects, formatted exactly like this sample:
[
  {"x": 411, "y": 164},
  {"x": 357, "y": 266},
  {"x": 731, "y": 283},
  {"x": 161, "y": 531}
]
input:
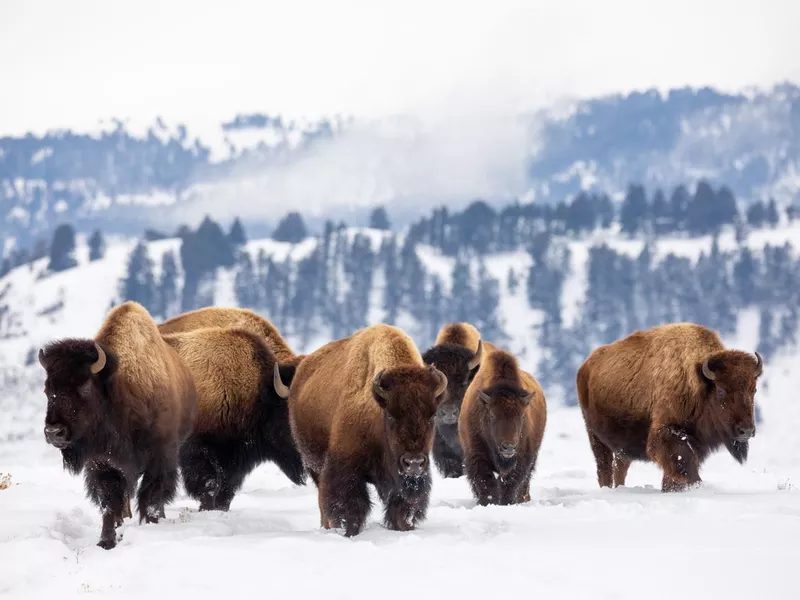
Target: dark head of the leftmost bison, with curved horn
[{"x": 76, "y": 376}]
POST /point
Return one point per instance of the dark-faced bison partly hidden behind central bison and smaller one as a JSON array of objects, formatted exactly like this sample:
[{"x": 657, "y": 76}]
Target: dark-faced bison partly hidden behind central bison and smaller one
[{"x": 457, "y": 354}]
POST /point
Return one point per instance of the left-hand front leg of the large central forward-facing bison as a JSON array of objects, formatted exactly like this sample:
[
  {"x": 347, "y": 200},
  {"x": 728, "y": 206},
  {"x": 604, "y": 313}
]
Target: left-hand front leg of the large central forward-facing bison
[{"x": 344, "y": 496}]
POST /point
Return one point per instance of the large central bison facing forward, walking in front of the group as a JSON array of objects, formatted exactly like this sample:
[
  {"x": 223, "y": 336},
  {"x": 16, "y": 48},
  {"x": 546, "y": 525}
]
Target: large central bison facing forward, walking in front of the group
[{"x": 362, "y": 411}]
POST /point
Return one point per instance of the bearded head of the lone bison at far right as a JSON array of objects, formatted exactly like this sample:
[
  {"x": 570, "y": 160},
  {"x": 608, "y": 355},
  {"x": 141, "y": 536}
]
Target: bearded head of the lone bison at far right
[{"x": 731, "y": 376}]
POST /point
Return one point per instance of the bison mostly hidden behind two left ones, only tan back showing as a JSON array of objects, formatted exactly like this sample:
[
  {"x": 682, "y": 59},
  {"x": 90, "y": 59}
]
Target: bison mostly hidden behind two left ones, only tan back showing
[{"x": 214, "y": 316}]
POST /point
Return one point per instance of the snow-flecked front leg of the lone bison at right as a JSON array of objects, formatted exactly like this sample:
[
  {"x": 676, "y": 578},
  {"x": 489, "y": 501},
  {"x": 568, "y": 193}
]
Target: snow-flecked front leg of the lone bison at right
[{"x": 671, "y": 447}]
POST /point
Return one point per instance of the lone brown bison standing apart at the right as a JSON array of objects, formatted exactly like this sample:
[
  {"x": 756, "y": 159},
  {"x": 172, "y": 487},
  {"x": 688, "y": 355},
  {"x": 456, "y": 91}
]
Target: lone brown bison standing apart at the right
[{"x": 672, "y": 395}]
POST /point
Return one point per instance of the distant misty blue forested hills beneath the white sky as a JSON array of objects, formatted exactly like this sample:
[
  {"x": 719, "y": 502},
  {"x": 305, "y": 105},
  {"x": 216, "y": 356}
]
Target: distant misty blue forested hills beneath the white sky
[{"x": 130, "y": 175}]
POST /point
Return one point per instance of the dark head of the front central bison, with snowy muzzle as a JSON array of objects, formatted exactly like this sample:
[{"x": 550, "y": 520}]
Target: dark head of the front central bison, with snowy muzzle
[{"x": 409, "y": 398}]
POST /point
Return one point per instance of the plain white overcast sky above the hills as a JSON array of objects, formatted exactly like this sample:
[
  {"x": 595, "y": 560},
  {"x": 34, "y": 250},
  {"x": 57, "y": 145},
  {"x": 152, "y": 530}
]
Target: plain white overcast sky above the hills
[{"x": 67, "y": 63}]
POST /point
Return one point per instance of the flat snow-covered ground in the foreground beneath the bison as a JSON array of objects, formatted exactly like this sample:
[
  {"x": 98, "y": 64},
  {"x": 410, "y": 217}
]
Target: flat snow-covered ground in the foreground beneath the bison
[{"x": 736, "y": 537}]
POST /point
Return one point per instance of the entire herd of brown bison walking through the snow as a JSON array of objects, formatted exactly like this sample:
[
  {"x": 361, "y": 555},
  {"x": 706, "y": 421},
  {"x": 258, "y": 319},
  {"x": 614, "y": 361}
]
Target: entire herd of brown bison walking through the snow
[{"x": 211, "y": 394}]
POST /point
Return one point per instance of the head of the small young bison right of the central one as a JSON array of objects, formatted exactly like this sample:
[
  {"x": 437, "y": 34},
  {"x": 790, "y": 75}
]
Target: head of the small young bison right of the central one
[{"x": 504, "y": 412}]
